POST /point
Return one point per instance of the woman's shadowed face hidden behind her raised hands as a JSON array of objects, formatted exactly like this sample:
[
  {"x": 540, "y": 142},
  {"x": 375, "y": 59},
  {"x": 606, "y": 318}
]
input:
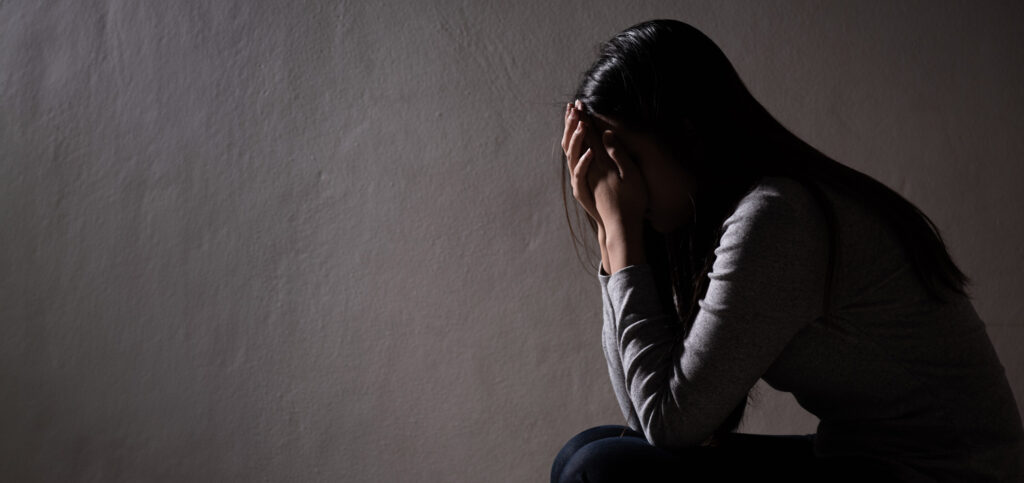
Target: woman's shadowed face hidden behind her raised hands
[{"x": 669, "y": 186}]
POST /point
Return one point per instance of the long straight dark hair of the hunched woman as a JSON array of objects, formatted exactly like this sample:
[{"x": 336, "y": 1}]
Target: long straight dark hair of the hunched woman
[{"x": 667, "y": 78}]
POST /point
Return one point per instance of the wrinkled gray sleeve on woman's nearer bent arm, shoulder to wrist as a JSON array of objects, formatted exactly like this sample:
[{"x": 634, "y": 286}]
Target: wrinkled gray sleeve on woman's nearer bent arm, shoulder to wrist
[{"x": 766, "y": 285}]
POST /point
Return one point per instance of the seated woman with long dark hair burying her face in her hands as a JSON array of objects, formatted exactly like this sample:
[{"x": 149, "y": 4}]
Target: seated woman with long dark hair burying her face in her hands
[{"x": 732, "y": 251}]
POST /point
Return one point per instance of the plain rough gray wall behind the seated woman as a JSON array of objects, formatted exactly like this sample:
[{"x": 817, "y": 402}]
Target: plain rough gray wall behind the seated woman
[{"x": 323, "y": 242}]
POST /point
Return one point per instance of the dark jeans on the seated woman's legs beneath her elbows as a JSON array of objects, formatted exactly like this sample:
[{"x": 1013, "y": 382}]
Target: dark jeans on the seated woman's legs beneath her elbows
[{"x": 617, "y": 454}]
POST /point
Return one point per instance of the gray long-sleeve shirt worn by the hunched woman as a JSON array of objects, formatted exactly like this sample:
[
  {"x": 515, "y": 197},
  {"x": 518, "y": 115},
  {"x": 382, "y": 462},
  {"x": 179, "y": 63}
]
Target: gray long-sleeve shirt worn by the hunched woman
[{"x": 890, "y": 374}]
